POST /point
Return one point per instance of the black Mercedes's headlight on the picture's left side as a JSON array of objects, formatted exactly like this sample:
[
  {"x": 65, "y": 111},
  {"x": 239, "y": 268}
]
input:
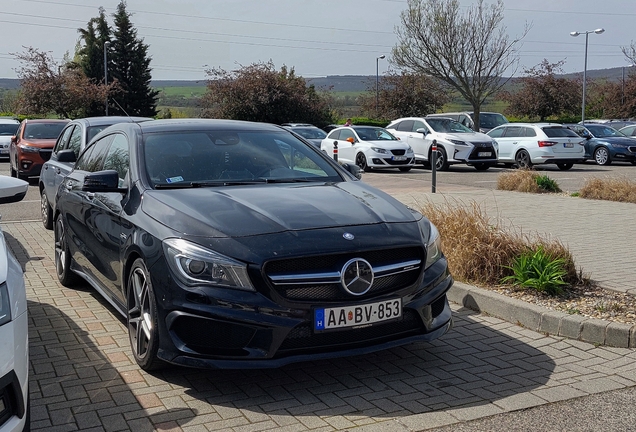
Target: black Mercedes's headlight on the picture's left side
[{"x": 195, "y": 265}]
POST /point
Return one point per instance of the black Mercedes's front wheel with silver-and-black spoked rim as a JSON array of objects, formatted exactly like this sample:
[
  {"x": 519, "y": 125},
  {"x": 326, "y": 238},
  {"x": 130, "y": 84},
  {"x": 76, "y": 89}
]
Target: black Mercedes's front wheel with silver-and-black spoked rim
[{"x": 142, "y": 319}]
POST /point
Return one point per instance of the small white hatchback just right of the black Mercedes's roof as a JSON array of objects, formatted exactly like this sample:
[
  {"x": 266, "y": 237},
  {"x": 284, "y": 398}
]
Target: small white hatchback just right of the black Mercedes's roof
[{"x": 369, "y": 147}]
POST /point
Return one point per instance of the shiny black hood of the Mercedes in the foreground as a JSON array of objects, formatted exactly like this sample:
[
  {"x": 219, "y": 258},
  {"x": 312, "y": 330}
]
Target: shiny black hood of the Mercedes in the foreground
[{"x": 239, "y": 211}]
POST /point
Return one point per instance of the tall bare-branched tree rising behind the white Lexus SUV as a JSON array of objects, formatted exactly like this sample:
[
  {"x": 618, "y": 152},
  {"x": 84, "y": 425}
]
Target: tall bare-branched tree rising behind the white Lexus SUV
[{"x": 469, "y": 51}]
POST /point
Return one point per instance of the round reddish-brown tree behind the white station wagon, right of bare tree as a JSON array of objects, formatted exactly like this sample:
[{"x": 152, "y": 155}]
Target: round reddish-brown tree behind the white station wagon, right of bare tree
[{"x": 543, "y": 94}]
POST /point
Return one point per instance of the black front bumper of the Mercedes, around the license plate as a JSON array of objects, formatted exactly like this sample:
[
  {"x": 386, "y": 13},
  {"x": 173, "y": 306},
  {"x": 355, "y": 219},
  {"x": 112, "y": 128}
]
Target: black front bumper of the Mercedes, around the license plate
[{"x": 229, "y": 329}]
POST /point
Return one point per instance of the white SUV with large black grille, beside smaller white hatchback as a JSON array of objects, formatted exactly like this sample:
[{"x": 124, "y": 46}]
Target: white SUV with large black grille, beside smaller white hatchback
[{"x": 455, "y": 142}]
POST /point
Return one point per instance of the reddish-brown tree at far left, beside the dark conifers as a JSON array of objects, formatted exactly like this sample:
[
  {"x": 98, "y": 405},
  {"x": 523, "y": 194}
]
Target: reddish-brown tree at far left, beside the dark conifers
[{"x": 48, "y": 87}]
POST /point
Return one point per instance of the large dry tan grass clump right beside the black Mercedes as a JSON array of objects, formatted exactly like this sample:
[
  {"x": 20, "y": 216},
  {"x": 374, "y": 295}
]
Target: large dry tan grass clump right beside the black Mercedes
[{"x": 482, "y": 252}]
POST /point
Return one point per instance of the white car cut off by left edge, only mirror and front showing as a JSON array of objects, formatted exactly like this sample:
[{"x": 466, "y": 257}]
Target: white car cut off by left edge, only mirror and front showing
[{"x": 14, "y": 339}]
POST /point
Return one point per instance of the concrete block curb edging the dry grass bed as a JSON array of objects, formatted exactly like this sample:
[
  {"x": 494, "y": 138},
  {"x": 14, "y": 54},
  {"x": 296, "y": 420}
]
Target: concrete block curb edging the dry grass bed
[{"x": 533, "y": 317}]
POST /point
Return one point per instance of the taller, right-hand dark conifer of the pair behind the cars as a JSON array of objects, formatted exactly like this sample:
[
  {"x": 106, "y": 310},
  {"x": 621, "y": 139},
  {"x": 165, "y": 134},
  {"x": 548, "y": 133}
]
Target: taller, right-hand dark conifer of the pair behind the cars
[{"x": 130, "y": 67}]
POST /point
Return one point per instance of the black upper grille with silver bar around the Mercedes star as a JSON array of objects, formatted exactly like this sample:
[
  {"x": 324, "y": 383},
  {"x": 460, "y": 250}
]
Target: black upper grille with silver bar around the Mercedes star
[{"x": 328, "y": 288}]
